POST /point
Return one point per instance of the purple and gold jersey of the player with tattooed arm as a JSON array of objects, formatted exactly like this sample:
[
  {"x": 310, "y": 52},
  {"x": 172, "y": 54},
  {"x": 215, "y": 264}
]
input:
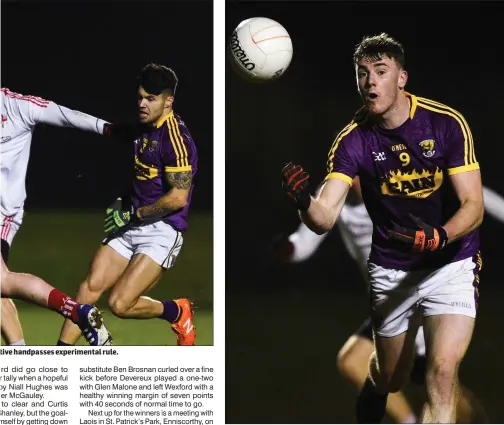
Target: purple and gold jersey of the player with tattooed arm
[{"x": 167, "y": 148}]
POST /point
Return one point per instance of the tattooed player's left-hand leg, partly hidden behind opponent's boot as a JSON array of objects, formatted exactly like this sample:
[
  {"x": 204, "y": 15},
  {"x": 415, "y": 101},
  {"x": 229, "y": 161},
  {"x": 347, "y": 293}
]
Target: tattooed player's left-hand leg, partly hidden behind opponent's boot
[{"x": 106, "y": 267}]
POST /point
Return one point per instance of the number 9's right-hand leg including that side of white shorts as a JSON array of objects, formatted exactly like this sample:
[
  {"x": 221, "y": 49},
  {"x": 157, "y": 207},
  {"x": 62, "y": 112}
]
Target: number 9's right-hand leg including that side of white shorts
[{"x": 449, "y": 306}]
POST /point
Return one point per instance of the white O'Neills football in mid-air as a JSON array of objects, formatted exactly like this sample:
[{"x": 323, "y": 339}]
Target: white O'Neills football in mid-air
[{"x": 260, "y": 49}]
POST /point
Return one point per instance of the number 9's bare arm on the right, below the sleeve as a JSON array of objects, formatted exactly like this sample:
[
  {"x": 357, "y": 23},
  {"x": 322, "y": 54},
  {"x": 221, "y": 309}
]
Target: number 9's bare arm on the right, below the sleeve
[{"x": 469, "y": 191}]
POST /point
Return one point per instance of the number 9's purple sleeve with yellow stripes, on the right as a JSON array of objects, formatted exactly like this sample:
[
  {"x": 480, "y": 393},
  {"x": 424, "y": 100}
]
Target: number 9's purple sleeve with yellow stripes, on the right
[{"x": 459, "y": 146}]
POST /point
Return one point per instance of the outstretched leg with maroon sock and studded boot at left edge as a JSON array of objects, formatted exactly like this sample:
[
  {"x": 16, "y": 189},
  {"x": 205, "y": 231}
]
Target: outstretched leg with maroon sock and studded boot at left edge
[{"x": 31, "y": 288}]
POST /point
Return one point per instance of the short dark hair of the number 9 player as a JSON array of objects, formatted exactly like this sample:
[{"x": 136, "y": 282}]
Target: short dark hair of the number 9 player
[{"x": 374, "y": 47}]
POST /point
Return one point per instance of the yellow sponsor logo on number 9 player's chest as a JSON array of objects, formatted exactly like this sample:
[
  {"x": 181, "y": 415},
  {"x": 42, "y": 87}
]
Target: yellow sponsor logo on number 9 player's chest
[{"x": 418, "y": 184}]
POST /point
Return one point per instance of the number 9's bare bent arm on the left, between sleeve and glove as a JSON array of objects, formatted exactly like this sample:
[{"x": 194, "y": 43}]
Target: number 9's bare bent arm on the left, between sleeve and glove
[{"x": 325, "y": 209}]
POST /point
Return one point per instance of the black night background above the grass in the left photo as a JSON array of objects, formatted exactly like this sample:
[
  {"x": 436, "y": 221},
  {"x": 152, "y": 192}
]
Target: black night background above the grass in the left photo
[{"x": 86, "y": 56}]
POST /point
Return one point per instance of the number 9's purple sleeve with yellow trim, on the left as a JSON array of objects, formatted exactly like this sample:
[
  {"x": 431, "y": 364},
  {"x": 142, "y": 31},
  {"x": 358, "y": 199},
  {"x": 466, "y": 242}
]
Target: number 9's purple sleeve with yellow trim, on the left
[{"x": 345, "y": 155}]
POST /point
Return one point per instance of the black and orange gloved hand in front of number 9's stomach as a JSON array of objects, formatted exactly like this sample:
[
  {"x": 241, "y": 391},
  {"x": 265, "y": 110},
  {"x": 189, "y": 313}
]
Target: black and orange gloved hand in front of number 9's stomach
[{"x": 426, "y": 238}]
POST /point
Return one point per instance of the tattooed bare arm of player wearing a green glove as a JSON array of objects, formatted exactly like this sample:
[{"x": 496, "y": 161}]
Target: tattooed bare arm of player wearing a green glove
[{"x": 175, "y": 199}]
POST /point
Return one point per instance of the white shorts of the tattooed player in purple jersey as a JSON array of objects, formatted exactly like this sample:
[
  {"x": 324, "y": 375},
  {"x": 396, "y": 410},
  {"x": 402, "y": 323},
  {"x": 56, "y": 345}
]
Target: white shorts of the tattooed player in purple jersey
[{"x": 158, "y": 240}]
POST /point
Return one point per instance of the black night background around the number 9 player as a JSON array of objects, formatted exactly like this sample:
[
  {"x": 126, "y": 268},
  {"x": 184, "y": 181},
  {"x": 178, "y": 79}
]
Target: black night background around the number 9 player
[{"x": 285, "y": 325}]
